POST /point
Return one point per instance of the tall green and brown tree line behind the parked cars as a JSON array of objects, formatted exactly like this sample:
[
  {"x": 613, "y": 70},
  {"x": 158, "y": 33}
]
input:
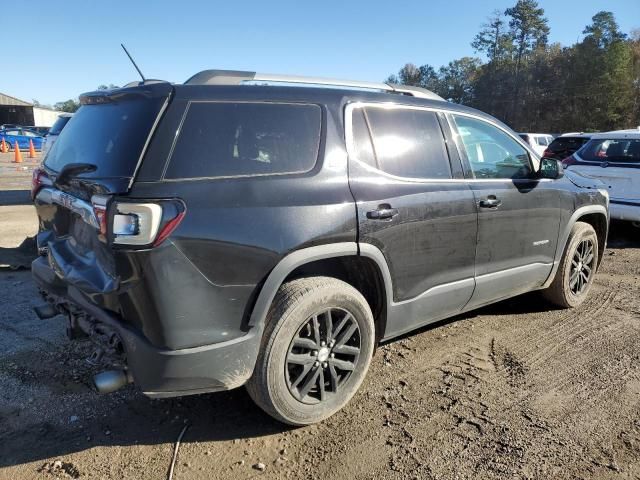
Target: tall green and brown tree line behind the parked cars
[{"x": 537, "y": 86}]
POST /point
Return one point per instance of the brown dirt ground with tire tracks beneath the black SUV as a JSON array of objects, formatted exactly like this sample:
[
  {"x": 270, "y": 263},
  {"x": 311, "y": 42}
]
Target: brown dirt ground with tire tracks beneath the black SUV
[{"x": 515, "y": 390}]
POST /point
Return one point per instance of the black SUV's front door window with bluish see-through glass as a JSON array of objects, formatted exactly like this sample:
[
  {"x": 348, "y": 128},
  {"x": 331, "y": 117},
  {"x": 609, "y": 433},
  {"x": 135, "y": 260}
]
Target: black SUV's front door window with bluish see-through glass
[{"x": 490, "y": 151}]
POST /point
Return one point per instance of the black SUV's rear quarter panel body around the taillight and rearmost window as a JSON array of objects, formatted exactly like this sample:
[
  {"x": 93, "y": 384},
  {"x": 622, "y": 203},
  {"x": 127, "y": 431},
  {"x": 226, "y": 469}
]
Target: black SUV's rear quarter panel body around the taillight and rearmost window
[{"x": 202, "y": 282}]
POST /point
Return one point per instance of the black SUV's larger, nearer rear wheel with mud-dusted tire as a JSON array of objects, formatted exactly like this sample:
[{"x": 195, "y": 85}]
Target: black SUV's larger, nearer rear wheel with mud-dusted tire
[{"x": 296, "y": 381}]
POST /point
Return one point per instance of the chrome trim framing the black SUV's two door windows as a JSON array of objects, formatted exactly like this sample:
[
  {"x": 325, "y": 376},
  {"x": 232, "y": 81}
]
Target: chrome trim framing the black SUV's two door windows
[{"x": 348, "y": 127}]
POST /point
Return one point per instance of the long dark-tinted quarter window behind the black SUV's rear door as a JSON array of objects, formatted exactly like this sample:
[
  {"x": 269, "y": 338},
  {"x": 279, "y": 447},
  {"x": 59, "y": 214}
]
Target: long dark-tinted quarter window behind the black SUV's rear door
[{"x": 227, "y": 139}]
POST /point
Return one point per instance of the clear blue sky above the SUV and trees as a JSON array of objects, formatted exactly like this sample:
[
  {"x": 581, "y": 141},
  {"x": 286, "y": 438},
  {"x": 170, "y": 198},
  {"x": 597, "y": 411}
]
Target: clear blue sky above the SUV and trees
[{"x": 72, "y": 46}]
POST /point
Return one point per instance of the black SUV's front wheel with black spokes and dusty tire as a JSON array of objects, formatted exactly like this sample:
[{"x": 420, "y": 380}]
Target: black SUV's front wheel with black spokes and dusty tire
[{"x": 577, "y": 268}]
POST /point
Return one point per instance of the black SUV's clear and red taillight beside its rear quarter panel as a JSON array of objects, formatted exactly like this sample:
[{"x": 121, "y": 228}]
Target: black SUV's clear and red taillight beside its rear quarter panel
[{"x": 145, "y": 224}]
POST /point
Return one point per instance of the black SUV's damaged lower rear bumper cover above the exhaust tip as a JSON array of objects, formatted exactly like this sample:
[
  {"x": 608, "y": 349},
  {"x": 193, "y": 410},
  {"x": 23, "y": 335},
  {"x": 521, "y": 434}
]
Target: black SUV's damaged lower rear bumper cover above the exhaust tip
[{"x": 161, "y": 372}]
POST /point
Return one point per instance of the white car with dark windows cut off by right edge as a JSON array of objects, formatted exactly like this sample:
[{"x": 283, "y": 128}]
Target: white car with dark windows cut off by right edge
[{"x": 613, "y": 158}]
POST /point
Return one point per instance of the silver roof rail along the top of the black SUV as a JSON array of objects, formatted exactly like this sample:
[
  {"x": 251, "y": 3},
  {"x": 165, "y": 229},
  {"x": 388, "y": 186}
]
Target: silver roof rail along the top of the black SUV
[{"x": 238, "y": 77}]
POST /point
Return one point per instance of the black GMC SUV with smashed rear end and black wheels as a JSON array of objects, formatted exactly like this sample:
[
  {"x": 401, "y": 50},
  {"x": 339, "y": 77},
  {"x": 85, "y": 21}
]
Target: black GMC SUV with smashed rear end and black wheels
[{"x": 270, "y": 231}]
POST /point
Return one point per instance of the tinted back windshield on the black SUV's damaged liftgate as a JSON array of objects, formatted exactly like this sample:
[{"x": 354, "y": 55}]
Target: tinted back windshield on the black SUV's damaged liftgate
[{"x": 110, "y": 136}]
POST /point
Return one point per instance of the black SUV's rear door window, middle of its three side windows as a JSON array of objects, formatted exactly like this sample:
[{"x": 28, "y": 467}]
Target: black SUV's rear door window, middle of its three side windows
[{"x": 408, "y": 143}]
